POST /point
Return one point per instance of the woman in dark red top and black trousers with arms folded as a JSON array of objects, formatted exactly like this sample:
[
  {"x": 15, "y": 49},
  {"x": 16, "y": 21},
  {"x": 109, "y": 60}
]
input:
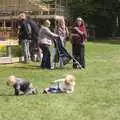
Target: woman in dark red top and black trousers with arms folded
[{"x": 79, "y": 37}]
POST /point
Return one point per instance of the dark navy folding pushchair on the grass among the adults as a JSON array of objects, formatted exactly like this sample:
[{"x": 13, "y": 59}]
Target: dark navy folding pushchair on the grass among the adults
[{"x": 63, "y": 54}]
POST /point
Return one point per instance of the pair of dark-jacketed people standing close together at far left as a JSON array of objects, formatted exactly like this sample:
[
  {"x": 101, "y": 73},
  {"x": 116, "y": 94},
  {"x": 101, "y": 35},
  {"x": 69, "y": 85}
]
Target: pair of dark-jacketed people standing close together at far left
[{"x": 28, "y": 36}]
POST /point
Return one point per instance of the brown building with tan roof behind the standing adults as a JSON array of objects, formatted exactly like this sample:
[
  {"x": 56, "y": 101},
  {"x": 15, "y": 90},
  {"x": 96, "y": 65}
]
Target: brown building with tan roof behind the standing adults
[{"x": 9, "y": 9}]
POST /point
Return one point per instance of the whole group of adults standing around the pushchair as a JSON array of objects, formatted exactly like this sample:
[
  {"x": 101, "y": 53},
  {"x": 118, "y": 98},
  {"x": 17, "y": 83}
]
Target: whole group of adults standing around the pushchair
[{"x": 31, "y": 37}]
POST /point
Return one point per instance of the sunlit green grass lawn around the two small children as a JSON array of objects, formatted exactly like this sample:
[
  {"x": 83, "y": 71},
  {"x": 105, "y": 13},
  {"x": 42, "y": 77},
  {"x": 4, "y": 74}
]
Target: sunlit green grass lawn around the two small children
[{"x": 96, "y": 96}]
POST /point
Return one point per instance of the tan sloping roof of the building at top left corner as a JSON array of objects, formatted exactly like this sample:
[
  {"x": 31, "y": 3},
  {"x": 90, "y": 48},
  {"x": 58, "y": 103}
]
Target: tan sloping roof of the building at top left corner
[{"x": 21, "y": 5}]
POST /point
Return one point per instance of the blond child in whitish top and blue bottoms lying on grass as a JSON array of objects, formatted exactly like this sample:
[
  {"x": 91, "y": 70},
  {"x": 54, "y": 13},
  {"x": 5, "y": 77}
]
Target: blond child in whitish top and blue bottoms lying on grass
[{"x": 64, "y": 85}]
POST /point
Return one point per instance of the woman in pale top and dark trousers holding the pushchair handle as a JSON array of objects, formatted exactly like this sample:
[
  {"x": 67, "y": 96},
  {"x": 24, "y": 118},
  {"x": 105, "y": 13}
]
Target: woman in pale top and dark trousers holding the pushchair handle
[{"x": 45, "y": 41}]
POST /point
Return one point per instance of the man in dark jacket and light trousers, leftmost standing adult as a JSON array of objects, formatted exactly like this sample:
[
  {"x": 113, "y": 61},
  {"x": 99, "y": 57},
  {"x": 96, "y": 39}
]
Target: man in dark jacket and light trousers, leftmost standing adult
[{"x": 24, "y": 36}]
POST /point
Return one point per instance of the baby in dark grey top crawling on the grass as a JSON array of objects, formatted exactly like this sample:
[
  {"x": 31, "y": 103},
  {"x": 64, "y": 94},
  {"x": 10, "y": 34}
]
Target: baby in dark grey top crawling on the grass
[{"x": 21, "y": 86}]
